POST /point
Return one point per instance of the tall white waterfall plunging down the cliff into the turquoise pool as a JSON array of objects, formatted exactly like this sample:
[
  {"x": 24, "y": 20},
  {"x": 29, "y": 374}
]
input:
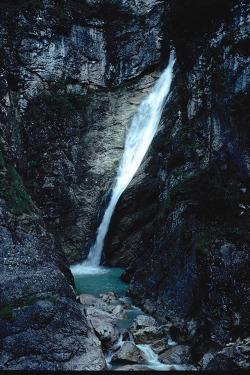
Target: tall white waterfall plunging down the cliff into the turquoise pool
[{"x": 140, "y": 134}]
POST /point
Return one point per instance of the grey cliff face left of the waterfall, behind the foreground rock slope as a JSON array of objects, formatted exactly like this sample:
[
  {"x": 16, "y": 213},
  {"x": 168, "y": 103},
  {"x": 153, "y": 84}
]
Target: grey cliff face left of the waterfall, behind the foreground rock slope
[{"x": 62, "y": 70}]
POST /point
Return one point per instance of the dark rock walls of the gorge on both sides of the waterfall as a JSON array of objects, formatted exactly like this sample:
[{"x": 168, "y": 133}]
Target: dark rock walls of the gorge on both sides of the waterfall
[{"x": 72, "y": 74}]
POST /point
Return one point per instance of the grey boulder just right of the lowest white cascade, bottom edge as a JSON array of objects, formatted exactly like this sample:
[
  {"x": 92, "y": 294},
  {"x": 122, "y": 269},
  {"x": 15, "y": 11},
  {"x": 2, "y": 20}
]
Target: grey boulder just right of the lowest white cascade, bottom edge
[{"x": 177, "y": 355}]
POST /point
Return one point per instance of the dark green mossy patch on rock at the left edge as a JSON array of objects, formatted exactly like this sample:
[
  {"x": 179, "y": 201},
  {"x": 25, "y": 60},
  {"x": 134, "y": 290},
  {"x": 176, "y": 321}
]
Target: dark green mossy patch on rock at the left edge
[{"x": 14, "y": 193}]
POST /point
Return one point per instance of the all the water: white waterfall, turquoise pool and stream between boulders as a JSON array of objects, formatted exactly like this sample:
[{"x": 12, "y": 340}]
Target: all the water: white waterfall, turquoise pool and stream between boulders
[{"x": 89, "y": 276}]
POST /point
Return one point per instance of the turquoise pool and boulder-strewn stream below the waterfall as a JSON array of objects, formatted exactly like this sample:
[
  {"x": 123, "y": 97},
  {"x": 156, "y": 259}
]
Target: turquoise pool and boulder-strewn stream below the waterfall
[{"x": 130, "y": 339}]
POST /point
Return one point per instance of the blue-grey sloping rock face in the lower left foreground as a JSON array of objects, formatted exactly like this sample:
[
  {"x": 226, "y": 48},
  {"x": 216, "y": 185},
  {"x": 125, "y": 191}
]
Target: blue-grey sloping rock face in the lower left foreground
[{"x": 42, "y": 326}]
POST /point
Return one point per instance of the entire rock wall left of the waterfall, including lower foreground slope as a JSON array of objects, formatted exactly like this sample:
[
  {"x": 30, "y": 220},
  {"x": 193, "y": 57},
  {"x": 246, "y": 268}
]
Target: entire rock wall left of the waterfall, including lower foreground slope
[{"x": 71, "y": 76}]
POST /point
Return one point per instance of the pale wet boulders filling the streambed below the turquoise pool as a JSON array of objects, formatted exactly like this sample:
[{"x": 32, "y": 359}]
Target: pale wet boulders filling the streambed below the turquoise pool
[{"x": 121, "y": 346}]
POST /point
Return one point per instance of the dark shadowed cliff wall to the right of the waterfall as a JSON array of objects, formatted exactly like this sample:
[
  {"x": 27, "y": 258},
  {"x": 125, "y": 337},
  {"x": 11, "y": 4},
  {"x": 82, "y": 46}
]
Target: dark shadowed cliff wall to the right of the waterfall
[{"x": 183, "y": 222}]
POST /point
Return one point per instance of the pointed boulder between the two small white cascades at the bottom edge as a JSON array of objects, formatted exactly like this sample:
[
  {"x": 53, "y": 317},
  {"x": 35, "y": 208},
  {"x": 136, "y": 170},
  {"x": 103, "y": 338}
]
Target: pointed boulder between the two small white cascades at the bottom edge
[{"x": 129, "y": 353}]
